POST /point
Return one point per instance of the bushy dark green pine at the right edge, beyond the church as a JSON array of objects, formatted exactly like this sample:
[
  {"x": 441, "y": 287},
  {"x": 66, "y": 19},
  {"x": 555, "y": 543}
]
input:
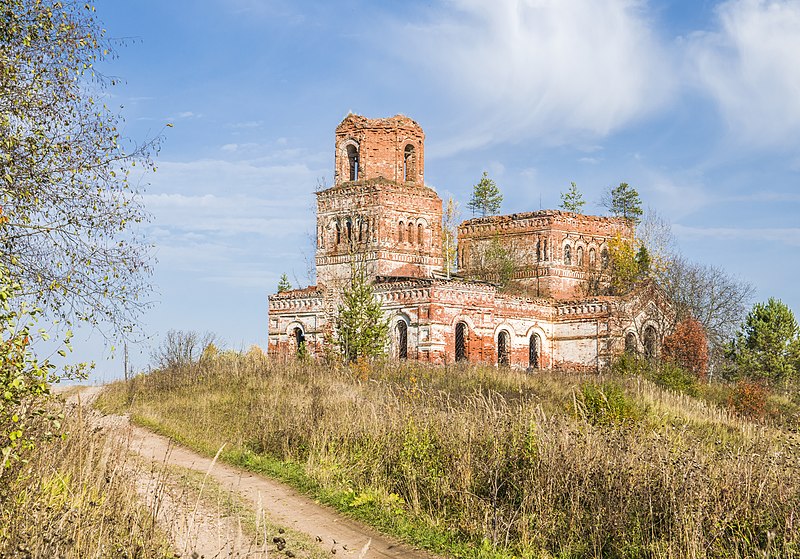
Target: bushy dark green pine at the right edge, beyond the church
[{"x": 766, "y": 346}]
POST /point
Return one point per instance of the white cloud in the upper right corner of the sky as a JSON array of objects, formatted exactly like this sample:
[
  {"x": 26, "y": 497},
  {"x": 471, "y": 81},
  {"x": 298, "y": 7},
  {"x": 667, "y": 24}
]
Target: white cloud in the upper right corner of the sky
[{"x": 749, "y": 67}]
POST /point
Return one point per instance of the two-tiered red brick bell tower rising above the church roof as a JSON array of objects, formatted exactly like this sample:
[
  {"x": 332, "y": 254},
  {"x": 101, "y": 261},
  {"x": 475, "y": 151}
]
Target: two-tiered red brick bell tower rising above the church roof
[{"x": 378, "y": 213}]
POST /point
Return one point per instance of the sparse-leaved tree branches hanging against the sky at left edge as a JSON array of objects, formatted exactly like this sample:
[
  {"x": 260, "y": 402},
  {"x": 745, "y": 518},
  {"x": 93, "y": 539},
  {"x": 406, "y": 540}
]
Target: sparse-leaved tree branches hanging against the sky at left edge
[{"x": 71, "y": 237}]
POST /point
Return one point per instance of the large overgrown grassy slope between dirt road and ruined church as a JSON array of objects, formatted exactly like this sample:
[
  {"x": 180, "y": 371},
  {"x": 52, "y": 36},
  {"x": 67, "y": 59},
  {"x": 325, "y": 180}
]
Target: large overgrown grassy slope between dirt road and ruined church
[{"x": 478, "y": 462}]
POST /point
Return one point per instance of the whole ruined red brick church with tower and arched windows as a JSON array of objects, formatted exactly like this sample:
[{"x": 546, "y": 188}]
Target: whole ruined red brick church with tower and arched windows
[{"x": 380, "y": 213}]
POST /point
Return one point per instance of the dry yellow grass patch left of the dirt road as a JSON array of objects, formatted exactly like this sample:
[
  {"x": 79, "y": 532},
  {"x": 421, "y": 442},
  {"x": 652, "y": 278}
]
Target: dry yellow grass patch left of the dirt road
[{"x": 75, "y": 497}]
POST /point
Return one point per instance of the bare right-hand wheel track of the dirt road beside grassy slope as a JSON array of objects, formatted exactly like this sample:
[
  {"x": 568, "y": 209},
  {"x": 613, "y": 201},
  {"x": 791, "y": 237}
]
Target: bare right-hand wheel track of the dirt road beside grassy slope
[{"x": 333, "y": 533}]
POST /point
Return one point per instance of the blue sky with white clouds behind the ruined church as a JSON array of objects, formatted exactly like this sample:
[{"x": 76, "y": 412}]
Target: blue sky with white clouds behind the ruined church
[{"x": 694, "y": 103}]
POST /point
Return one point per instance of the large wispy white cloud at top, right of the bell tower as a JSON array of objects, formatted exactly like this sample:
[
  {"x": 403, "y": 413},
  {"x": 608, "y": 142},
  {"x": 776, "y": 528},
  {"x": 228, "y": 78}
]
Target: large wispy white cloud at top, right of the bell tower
[{"x": 549, "y": 70}]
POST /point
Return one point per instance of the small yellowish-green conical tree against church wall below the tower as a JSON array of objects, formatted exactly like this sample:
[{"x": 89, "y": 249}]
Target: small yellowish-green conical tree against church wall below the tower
[{"x": 362, "y": 331}]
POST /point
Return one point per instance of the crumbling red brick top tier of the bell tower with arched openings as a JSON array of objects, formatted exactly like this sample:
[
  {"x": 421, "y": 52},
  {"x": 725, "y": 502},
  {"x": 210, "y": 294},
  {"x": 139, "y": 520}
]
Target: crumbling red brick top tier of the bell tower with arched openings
[{"x": 369, "y": 148}]
